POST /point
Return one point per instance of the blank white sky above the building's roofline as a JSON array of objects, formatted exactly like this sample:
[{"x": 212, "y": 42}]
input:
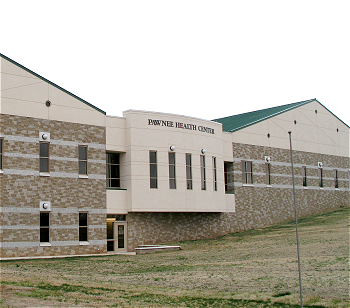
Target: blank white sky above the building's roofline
[{"x": 204, "y": 59}]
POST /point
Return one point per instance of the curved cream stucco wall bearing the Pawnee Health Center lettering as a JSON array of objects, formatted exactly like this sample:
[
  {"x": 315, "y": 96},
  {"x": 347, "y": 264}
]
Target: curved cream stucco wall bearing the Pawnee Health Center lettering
[{"x": 142, "y": 137}]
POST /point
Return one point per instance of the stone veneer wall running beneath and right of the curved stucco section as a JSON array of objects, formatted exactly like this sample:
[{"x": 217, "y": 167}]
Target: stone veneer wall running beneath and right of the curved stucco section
[{"x": 257, "y": 206}]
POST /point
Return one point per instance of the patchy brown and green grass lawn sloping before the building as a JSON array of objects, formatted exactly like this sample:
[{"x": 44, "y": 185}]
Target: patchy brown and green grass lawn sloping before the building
[{"x": 257, "y": 268}]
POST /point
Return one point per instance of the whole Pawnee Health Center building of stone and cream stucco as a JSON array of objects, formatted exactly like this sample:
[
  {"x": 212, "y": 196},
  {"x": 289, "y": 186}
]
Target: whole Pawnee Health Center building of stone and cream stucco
[{"x": 75, "y": 181}]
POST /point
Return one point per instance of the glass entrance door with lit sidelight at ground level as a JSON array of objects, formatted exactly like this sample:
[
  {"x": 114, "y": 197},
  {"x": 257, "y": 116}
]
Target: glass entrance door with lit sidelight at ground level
[{"x": 116, "y": 236}]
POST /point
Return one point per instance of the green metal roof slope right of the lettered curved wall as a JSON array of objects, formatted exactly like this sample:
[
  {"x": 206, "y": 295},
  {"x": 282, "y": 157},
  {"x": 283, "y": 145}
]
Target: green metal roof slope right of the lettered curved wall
[{"x": 239, "y": 121}]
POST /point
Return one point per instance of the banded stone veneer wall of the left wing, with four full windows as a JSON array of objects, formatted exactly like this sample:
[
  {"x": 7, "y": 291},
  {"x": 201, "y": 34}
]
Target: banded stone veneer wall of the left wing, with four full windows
[{"x": 22, "y": 188}]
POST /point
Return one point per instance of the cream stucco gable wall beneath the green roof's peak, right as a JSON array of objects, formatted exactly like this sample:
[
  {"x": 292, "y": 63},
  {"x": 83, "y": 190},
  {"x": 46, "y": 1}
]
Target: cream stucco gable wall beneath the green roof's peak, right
[{"x": 313, "y": 132}]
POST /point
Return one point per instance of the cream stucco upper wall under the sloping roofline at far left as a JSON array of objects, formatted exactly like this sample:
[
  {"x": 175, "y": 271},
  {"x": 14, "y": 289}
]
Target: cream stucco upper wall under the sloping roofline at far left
[{"x": 25, "y": 94}]
